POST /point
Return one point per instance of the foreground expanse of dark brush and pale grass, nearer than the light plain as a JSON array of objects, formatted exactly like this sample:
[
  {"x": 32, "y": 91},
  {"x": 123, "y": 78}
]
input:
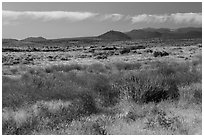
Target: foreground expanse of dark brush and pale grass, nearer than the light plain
[{"x": 103, "y": 98}]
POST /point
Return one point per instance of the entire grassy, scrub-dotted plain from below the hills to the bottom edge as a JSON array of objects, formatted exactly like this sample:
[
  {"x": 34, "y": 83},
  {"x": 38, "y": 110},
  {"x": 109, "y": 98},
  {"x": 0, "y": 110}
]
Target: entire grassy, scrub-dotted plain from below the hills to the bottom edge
[{"x": 131, "y": 91}]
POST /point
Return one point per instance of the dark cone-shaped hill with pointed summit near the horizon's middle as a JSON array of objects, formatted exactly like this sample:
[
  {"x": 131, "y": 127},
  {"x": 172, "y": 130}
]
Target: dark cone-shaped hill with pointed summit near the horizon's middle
[{"x": 114, "y": 35}]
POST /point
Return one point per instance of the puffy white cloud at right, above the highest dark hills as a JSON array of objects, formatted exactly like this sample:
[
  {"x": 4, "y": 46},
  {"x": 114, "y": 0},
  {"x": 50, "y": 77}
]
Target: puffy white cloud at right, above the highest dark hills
[{"x": 178, "y": 18}]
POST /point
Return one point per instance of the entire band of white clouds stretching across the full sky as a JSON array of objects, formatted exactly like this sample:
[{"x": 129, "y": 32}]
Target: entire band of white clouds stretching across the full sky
[{"x": 11, "y": 17}]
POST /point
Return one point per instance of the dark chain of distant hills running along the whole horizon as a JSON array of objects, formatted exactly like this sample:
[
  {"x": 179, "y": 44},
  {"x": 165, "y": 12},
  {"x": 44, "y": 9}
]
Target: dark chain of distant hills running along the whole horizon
[{"x": 145, "y": 33}]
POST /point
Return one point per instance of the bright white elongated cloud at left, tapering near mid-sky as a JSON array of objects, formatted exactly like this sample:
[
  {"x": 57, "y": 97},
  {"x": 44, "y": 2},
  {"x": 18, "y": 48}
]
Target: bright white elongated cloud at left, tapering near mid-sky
[{"x": 47, "y": 15}]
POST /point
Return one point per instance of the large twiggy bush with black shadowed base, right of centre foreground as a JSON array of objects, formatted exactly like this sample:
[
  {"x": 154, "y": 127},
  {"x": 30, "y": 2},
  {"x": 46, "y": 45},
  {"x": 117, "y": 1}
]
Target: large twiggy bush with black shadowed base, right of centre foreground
[{"x": 147, "y": 87}]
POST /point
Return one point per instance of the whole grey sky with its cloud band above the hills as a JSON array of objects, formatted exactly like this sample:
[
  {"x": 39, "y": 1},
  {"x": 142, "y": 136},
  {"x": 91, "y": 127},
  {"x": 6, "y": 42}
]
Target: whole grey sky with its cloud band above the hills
[{"x": 68, "y": 19}]
